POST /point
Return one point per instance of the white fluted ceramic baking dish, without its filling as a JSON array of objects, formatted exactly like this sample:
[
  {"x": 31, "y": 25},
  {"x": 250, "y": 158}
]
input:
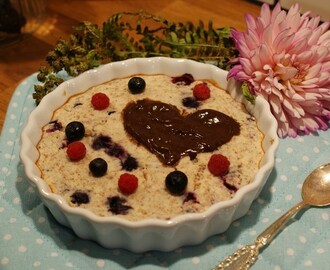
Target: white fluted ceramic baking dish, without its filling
[{"x": 149, "y": 234}]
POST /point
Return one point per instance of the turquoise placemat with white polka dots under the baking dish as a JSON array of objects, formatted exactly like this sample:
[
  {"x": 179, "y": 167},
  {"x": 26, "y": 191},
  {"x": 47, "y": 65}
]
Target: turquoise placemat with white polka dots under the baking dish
[{"x": 30, "y": 238}]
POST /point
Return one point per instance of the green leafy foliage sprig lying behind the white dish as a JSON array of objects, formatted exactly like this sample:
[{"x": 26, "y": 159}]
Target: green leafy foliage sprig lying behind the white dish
[{"x": 127, "y": 35}]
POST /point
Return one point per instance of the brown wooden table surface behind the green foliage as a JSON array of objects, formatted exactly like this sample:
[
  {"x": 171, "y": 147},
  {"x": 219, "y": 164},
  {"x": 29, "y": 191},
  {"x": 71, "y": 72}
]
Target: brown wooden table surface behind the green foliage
[{"x": 25, "y": 57}]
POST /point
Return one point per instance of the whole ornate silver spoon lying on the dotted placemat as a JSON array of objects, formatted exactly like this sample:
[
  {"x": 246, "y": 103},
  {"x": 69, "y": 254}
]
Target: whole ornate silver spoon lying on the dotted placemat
[{"x": 315, "y": 192}]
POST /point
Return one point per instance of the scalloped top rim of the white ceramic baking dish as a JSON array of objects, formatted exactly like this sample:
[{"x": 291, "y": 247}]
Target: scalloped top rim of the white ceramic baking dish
[{"x": 46, "y": 193}]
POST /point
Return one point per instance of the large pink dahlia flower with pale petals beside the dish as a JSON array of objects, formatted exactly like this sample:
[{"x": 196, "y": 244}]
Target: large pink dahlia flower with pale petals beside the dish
[{"x": 285, "y": 58}]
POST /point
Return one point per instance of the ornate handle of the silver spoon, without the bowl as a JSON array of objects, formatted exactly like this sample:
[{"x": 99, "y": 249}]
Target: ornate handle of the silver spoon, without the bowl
[{"x": 245, "y": 257}]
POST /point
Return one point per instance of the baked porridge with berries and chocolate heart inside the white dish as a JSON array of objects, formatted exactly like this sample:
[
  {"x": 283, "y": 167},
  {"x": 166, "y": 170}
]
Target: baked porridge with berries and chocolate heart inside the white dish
[{"x": 150, "y": 146}]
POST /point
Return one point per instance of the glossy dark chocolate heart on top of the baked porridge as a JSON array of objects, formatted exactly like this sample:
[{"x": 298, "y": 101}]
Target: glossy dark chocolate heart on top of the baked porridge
[{"x": 164, "y": 131}]
